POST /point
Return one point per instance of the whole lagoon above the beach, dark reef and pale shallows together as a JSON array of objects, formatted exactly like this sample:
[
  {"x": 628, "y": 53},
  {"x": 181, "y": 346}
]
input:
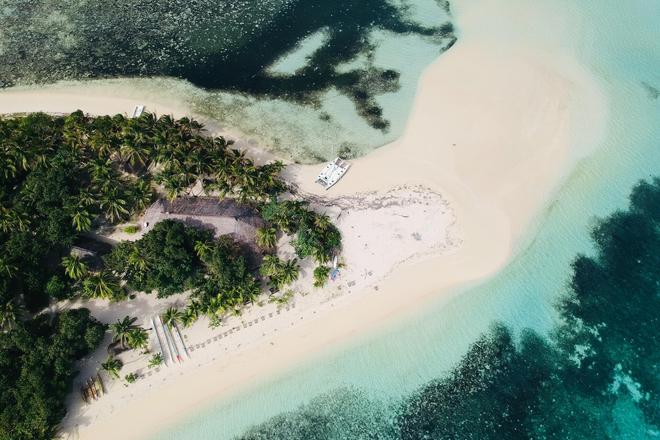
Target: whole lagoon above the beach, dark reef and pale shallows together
[{"x": 306, "y": 78}]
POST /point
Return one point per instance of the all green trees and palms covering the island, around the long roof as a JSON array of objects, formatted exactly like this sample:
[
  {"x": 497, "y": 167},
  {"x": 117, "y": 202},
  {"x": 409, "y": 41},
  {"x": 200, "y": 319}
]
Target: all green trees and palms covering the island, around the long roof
[{"x": 62, "y": 177}]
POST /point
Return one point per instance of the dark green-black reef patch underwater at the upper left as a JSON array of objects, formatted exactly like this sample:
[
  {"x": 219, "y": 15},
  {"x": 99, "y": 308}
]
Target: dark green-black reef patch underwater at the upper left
[{"x": 217, "y": 45}]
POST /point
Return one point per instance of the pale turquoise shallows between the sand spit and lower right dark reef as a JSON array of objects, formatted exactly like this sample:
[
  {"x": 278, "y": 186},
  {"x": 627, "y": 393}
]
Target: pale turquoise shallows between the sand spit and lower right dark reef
[{"x": 354, "y": 389}]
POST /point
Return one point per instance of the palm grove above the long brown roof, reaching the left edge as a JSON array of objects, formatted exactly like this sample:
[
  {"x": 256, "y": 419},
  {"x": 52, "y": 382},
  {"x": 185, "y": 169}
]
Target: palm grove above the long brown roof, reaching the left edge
[{"x": 62, "y": 176}]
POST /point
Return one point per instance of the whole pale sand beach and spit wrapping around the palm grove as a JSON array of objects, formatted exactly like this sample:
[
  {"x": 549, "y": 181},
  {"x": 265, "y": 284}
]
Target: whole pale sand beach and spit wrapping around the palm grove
[{"x": 492, "y": 134}]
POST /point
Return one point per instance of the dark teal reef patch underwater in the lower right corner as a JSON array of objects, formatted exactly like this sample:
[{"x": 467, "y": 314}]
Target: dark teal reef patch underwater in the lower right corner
[{"x": 596, "y": 376}]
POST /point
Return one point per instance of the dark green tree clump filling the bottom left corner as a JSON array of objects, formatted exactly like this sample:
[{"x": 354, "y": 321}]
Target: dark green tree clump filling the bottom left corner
[{"x": 36, "y": 370}]
